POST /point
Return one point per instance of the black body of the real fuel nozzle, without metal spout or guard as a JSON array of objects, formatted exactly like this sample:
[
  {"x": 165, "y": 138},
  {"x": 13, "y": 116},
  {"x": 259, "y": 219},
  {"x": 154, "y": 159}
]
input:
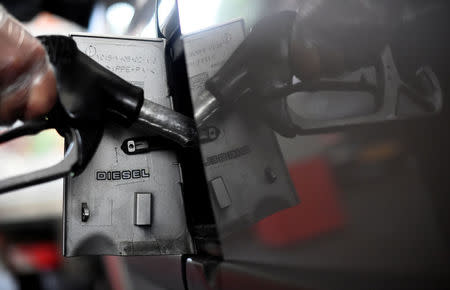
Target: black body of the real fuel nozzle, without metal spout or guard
[{"x": 88, "y": 92}]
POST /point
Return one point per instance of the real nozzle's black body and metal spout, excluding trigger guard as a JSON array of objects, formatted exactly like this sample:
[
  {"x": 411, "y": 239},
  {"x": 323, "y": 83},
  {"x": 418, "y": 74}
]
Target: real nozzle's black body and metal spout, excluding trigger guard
[{"x": 90, "y": 94}]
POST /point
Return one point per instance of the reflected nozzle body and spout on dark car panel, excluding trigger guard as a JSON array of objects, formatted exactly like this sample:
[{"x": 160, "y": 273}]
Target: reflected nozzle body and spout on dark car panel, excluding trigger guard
[{"x": 257, "y": 67}]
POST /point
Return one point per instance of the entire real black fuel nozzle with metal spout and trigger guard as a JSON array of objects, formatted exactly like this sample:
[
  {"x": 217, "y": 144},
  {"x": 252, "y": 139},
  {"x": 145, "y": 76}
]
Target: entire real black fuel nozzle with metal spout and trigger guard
[{"x": 88, "y": 96}]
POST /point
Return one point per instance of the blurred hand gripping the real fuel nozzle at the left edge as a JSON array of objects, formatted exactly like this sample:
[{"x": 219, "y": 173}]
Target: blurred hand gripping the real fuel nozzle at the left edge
[{"x": 27, "y": 81}]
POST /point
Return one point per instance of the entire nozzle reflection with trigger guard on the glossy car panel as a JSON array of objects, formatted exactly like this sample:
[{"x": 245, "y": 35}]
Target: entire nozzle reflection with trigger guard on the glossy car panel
[{"x": 259, "y": 74}]
